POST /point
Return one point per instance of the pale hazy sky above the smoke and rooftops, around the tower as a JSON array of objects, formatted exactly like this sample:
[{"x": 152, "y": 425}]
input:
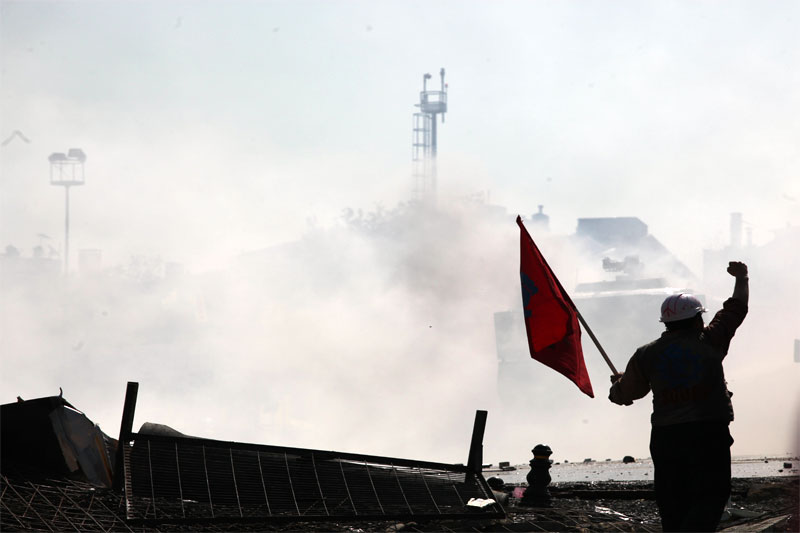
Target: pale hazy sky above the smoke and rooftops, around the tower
[{"x": 213, "y": 128}]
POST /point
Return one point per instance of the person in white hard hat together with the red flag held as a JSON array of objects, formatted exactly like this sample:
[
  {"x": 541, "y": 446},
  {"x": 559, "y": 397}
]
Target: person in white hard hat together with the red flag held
[{"x": 690, "y": 439}]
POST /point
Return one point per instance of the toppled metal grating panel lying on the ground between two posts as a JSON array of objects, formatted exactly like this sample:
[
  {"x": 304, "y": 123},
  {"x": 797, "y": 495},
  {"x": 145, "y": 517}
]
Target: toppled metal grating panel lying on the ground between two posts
[{"x": 182, "y": 479}]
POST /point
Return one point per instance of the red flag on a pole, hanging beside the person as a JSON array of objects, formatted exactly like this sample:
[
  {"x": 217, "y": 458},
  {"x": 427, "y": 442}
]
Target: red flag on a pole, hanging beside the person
[{"x": 551, "y": 321}]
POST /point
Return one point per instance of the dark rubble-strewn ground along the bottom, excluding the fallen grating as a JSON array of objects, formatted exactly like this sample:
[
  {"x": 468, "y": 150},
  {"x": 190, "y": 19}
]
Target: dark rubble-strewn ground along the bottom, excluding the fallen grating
[{"x": 757, "y": 504}]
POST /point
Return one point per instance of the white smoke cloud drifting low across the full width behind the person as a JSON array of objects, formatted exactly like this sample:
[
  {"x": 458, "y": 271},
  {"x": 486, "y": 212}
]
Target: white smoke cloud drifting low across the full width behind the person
[{"x": 375, "y": 336}]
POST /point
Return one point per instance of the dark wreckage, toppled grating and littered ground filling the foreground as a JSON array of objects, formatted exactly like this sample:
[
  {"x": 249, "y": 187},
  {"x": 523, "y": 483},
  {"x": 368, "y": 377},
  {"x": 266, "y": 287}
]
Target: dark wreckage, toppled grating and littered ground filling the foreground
[{"x": 57, "y": 475}]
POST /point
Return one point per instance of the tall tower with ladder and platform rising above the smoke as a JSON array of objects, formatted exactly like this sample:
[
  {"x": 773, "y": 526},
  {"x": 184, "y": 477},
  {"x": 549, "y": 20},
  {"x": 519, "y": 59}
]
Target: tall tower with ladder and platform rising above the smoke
[{"x": 431, "y": 104}]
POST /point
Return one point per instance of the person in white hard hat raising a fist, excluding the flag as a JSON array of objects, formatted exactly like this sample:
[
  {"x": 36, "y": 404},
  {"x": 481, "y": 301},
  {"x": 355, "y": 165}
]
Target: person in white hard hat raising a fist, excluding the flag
[{"x": 690, "y": 440}]
